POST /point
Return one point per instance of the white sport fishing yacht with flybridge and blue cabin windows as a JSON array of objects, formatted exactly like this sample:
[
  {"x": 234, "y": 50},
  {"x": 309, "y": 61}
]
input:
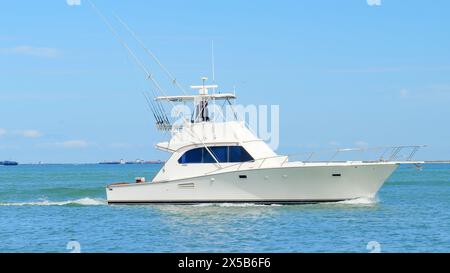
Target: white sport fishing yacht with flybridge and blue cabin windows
[{"x": 224, "y": 162}]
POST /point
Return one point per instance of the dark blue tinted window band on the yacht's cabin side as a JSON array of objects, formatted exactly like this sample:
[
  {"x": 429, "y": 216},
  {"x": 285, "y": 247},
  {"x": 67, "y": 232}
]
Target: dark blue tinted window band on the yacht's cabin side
[{"x": 223, "y": 154}]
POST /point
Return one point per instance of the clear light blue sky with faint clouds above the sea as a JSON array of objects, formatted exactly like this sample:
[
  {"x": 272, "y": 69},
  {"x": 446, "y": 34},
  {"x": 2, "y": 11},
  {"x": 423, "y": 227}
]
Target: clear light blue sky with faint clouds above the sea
[{"x": 344, "y": 73}]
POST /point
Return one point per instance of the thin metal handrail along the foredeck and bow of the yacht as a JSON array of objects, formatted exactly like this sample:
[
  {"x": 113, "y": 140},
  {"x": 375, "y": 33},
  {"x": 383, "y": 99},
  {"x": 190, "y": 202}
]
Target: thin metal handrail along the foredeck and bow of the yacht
[{"x": 393, "y": 157}]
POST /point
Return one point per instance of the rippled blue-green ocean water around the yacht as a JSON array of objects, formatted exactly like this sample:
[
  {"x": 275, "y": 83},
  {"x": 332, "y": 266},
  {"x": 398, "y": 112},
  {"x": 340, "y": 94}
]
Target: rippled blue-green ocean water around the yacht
[{"x": 53, "y": 208}]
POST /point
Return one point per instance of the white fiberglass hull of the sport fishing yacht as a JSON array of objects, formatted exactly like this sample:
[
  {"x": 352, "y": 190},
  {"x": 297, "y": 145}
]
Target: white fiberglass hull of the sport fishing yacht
[{"x": 298, "y": 184}]
